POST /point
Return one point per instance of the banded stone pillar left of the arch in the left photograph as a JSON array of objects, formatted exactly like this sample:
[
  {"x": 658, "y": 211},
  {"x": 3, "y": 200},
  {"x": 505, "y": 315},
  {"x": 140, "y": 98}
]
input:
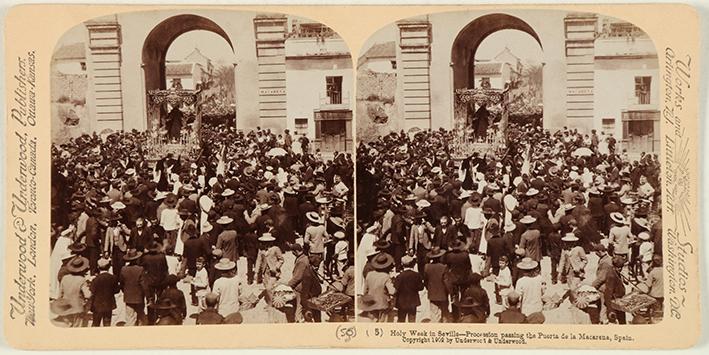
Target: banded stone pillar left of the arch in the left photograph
[{"x": 104, "y": 71}]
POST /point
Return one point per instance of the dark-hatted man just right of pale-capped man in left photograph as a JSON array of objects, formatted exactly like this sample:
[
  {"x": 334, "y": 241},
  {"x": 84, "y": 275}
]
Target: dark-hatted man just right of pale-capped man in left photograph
[{"x": 134, "y": 288}]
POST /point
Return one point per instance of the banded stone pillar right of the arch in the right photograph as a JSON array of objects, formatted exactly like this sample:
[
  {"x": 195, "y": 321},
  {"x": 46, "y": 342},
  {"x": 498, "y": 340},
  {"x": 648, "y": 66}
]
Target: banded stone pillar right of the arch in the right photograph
[{"x": 580, "y": 35}]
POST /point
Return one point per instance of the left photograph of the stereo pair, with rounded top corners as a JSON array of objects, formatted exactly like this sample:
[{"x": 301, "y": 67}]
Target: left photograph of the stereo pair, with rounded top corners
[{"x": 201, "y": 171}]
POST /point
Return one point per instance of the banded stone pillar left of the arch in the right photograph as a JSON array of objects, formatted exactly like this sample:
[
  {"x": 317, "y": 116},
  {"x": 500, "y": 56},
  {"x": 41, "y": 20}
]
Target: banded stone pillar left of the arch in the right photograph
[{"x": 415, "y": 61}]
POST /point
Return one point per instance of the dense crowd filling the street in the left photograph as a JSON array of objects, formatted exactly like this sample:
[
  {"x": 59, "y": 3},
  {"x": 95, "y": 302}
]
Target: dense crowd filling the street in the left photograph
[{"x": 254, "y": 222}]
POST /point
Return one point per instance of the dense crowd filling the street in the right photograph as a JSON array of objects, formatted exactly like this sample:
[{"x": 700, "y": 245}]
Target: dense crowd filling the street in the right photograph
[{"x": 555, "y": 227}]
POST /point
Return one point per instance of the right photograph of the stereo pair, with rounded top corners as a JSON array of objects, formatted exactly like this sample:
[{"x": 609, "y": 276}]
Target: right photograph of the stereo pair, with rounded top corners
[{"x": 507, "y": 170}]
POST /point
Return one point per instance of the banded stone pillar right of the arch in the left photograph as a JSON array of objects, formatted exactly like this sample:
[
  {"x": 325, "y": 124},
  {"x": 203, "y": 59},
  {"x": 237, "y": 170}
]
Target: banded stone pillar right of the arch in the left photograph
[{"x": 271, "y": 32}]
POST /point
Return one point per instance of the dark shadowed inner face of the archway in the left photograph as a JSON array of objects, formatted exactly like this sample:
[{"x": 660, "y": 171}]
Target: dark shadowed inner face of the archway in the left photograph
[{"x": 158, "y": 42}]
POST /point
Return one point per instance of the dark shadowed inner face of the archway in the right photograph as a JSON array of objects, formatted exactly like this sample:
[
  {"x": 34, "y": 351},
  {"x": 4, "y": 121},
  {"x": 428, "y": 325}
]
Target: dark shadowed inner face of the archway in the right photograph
[{"x": 465, "y": 46}]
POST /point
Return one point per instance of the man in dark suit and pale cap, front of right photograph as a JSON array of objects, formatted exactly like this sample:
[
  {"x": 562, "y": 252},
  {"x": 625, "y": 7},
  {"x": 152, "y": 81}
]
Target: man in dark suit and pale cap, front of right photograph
[{"x": 408, "y": 284}]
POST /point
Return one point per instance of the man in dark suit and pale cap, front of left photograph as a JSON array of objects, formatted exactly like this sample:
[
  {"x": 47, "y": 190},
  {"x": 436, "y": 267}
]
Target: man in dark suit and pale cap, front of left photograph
[{"x": 103, "y": 290}]
